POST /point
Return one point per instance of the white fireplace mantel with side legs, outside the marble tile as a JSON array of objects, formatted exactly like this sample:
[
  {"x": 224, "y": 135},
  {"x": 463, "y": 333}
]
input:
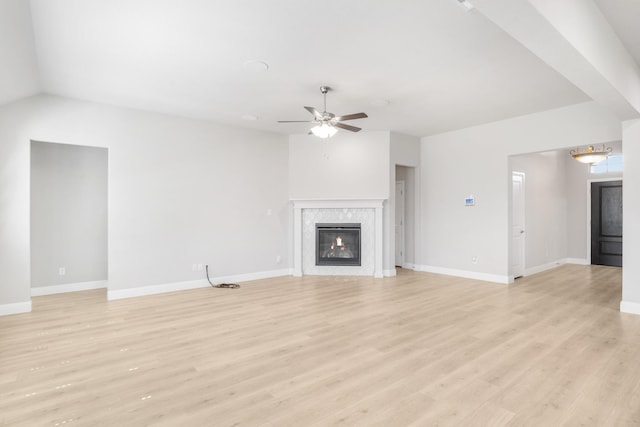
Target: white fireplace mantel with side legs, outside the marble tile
[{"x": 299, "y": 205}]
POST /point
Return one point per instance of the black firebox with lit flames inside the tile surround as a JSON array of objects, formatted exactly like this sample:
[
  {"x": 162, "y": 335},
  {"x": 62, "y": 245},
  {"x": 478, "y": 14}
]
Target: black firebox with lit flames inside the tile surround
[{"x": 338, "y": 244}]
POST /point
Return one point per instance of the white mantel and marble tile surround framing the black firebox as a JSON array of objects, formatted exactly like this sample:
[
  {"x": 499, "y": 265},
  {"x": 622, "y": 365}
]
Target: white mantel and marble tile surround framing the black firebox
[{"x": 367, "y": 212}]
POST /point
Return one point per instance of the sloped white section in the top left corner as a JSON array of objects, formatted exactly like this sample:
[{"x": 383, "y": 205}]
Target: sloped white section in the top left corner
[{"x": 18, "y": 73}]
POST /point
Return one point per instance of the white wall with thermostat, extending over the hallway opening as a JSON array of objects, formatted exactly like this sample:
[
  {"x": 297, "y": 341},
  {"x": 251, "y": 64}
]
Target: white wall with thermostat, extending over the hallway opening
[{"x": 474, "y": 161}]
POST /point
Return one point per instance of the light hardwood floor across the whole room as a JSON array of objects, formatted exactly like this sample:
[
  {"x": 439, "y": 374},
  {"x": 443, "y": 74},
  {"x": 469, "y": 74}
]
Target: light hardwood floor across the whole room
[{"x": 419, "y": 349}]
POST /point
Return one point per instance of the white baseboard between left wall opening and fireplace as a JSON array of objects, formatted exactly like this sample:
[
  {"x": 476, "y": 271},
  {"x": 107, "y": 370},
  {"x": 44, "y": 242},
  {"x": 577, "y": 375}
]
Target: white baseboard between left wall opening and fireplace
[{"x": 182, "y": 286}]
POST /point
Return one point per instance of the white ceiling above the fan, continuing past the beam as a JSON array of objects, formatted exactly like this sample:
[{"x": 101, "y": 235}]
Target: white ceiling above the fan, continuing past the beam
[{"x": 439, "y": 66}]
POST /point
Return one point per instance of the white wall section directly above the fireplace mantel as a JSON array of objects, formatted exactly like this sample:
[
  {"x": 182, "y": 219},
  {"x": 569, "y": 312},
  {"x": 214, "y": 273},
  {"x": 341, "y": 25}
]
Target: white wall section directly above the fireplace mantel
[{"x": 346, "y": 166}]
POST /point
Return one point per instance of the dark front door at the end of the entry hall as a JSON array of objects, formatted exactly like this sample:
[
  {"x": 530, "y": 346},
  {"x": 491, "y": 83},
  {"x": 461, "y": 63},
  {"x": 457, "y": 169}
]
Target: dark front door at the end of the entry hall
[{"x": 606, "y": 223}]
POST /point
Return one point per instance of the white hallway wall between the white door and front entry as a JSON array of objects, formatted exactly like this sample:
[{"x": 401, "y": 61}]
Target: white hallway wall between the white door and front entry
[{"x": 545, "y": 207}]
